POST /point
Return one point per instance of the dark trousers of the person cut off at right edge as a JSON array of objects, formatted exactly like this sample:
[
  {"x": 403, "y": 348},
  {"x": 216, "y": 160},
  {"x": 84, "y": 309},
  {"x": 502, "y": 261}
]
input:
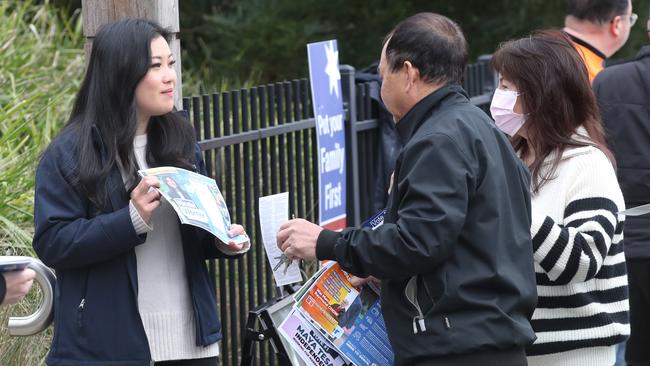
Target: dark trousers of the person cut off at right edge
[{"x": 637, "y": 349}]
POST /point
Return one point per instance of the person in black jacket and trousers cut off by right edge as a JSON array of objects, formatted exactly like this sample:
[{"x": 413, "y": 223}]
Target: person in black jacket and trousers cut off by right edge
[{"x": 623, "y": 92}]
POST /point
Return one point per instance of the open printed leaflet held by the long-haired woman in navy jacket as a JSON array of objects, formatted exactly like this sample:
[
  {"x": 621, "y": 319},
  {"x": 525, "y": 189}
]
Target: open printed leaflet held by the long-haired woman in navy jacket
[{"x": 196, "y": 200}]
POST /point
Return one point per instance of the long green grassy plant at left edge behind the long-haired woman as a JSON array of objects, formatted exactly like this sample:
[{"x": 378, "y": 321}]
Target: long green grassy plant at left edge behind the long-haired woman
[{"x": 42, "y": 58}]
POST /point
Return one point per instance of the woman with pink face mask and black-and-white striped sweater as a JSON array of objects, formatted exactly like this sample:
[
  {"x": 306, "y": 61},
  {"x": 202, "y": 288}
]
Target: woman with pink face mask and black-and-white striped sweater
[{"x": 545, "y": 104}]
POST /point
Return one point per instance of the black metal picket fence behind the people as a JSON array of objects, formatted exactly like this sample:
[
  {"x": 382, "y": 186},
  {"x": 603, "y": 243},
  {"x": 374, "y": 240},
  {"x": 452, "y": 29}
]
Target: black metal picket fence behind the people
[{"x": 261, "y": 141}]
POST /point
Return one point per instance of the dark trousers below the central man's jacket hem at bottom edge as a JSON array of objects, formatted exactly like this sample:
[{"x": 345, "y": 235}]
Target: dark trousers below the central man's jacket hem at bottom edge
[{"x": 509, "y": 357}]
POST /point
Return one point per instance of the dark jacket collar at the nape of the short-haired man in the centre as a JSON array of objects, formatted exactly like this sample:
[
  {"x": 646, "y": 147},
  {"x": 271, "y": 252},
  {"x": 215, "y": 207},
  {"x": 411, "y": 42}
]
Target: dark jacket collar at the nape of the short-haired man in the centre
[{"x": 416, "y": 116}]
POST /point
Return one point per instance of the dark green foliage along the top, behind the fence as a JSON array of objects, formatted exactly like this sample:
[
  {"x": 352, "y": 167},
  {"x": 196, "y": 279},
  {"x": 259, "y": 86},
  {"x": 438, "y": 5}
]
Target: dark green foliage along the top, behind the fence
[{"x": 264, "y": 40}]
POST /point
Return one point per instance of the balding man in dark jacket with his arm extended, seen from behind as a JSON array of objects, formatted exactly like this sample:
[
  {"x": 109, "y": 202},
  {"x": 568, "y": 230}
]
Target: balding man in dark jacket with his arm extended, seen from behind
[{"x": 454, "y": 254}]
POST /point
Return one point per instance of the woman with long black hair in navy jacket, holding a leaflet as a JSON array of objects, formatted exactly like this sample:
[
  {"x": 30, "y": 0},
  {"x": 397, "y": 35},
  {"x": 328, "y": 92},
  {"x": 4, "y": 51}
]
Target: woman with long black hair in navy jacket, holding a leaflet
[{"x": 132, "y": 284}]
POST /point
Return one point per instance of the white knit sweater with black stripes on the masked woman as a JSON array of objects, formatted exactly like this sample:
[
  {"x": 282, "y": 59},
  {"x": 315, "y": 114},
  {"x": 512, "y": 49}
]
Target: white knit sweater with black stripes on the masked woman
[{"x": 579, "y": 261}]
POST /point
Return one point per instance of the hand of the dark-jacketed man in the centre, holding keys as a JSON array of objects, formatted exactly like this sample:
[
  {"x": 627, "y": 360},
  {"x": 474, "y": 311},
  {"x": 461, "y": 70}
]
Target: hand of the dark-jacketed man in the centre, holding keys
[{"x": 297, "y": 239}]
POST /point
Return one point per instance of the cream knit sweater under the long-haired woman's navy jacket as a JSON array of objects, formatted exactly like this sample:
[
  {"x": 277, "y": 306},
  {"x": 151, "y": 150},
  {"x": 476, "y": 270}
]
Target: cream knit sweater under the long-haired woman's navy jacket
[{"x": 163, "y": 291}]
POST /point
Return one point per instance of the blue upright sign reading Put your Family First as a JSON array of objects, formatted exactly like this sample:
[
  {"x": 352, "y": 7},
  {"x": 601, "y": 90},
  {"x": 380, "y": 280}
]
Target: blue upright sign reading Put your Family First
[{"x": 328, "y": 110}]
